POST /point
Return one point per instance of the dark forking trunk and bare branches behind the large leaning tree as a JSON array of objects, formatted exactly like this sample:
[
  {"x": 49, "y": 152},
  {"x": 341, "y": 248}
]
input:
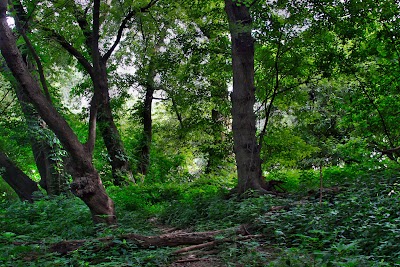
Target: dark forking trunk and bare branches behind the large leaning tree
[{"x": 96, "y": 67}]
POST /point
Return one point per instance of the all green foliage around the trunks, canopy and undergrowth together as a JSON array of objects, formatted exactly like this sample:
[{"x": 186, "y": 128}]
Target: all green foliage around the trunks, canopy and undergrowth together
[{"x": 327, "y": 89}]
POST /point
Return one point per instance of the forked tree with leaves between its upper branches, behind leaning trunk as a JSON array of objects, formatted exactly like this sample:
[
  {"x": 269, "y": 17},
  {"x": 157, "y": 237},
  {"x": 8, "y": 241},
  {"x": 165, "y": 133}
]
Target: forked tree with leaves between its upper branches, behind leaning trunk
[{"x": 96, "y": 64}]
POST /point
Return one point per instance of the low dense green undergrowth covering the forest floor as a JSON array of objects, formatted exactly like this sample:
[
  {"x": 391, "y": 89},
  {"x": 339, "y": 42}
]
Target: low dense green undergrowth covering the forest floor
[{"x": 357, "y": 225}]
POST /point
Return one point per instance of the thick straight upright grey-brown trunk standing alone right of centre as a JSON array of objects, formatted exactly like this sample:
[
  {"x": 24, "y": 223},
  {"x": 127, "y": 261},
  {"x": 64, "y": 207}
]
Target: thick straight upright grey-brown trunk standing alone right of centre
[{"x": 243, "y": 98}]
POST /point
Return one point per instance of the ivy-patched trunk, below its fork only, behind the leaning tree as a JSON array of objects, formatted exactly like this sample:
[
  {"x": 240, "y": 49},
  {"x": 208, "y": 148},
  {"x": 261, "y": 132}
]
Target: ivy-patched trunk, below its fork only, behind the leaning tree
[{"x": 121, "y": 170}]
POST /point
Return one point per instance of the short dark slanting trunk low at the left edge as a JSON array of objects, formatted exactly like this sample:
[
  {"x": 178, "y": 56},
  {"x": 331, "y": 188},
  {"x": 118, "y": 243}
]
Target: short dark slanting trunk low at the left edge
[{"x": 17, "y": 179}]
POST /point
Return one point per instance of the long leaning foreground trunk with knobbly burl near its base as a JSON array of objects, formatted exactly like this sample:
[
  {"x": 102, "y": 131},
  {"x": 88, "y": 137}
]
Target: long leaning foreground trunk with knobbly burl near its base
[{"x": 87, "y": 184}]
